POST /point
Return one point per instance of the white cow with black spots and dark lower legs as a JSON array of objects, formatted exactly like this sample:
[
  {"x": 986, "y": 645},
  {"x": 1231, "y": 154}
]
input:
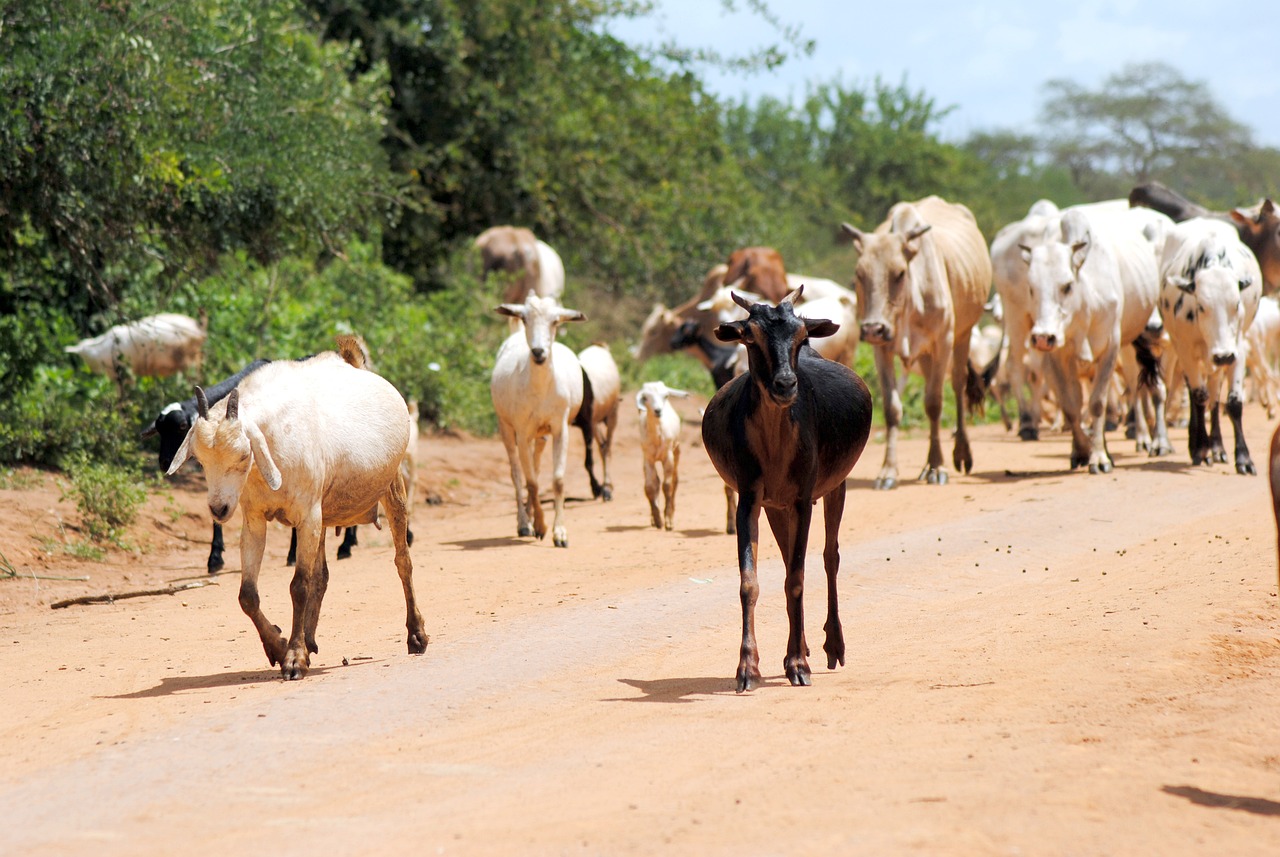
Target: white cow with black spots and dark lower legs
[{"x": 1210, "y": 287}]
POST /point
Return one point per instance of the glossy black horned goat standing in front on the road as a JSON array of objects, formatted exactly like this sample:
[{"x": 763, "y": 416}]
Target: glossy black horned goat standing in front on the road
[{"x": 783, "y": 437}]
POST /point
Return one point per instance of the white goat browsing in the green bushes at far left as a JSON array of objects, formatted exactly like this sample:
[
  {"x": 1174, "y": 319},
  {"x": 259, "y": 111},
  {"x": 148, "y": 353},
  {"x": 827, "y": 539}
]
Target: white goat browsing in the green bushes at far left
[{"x": 156, "y": 347}]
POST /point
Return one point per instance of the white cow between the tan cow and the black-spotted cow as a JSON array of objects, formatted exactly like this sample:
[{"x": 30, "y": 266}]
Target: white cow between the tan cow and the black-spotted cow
[{"x": 1092, "y": 282}]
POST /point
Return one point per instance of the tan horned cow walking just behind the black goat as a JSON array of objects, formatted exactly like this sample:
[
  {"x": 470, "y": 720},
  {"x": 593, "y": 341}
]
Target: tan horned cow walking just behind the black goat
[{"x": 924, "y": 276}]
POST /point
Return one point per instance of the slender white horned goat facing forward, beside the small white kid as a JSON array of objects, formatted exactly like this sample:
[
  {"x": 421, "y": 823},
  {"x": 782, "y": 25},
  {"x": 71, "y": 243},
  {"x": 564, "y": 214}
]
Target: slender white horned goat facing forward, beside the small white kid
[{"x": 537, "y": 391}]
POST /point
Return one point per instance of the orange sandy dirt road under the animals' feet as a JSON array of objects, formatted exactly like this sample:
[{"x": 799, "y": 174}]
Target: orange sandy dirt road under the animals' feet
[{"x": 1040, "y": 663}]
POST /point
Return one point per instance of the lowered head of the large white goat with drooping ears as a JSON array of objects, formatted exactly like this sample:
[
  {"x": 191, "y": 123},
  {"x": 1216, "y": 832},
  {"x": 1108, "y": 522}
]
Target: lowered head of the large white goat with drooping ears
[{"x": 227, "y": 447}]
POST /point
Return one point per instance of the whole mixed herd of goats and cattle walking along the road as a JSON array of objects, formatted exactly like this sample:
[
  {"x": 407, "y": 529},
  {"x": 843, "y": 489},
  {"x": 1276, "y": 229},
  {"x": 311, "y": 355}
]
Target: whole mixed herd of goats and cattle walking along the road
[{"x": 1114, "y": 303}]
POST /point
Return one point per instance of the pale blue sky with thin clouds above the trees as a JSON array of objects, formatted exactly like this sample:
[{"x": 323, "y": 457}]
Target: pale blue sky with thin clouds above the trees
[{"x": 990, "y": 59}]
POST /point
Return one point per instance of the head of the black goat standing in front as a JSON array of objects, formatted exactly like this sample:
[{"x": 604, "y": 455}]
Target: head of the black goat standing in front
[{"x": 774, "y": 337}]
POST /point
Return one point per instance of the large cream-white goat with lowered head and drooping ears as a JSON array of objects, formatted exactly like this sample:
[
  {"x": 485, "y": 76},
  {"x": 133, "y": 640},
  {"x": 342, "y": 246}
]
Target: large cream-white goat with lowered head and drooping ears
[{"x": 313, "y": 444}]
